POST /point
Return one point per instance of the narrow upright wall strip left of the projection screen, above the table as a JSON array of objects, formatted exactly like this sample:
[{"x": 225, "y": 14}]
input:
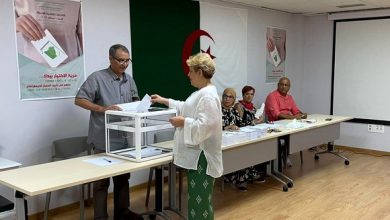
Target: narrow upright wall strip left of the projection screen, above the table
[{"x": 317, "y": 65}]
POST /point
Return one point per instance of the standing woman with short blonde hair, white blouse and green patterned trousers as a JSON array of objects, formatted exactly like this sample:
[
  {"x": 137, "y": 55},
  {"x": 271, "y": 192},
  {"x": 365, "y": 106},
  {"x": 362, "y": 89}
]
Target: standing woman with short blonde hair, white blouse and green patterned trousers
[{"x": 198, "y": 136}]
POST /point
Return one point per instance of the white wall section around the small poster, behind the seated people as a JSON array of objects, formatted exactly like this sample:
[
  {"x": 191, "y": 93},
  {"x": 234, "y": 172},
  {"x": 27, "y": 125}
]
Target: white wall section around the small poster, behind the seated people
[{"x": 258, "y": 21}]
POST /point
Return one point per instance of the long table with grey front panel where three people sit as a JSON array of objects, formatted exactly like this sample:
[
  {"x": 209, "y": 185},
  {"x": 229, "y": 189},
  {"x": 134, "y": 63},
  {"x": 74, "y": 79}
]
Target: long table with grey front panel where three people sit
[{"x": 267, "y": 148}]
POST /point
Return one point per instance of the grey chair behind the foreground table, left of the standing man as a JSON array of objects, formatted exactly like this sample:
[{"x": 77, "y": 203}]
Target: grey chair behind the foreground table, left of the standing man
[{"x": 68, "y": 148}]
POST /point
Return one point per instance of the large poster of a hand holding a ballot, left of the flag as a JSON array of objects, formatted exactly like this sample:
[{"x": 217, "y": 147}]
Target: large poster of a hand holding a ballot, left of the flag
[{"x": 50, "y": 48}]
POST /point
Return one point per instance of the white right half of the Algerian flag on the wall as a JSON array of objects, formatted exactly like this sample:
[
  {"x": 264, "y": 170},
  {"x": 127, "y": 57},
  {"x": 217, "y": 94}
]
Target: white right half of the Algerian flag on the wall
[{"x": 228, "y": 27}]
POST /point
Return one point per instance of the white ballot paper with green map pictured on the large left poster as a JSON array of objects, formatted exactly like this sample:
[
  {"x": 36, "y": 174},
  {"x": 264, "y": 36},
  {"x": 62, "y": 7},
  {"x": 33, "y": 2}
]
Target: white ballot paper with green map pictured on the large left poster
[{"x": 50, "y": 50}]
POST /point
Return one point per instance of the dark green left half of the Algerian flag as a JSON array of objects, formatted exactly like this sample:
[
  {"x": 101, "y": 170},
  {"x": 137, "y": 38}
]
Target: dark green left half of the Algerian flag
[{"x": 159, "y": 30}]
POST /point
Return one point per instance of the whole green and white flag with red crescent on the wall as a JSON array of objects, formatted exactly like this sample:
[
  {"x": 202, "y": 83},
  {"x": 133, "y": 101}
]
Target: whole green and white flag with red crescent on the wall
[{"x": 165, "y": 34}]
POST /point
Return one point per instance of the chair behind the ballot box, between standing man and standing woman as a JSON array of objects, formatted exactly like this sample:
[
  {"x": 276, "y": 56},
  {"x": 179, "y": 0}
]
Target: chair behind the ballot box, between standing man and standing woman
[{"x": 162, "y": 136}]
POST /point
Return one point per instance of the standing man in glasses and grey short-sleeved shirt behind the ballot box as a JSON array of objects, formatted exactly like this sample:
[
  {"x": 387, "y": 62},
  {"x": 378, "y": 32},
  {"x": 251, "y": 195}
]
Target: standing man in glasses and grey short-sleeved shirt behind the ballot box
[{"x": 101, "y": 92}]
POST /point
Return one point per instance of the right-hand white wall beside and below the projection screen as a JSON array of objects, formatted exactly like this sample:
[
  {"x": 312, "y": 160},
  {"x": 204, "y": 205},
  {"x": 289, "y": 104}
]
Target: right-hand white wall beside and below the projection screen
[{"x": 317, "y": 85}]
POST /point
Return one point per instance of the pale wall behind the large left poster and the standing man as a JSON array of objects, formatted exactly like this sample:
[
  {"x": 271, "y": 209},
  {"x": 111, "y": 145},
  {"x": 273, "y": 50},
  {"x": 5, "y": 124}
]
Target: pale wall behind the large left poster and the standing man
[{"x": 29, "y": 127}]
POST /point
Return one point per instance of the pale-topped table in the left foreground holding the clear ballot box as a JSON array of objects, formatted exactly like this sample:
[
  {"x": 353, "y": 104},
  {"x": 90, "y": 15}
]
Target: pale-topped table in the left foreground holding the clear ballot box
[{"x": 43, "y": 178}]
